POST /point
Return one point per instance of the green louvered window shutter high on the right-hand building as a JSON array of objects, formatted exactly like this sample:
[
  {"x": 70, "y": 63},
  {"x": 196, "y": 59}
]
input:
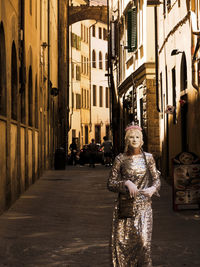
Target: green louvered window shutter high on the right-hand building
[{"x": 132, "y": 29}]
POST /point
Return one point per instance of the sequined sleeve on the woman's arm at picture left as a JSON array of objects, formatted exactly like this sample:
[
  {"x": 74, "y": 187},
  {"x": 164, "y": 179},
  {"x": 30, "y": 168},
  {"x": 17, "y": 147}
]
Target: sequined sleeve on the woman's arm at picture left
[{"x": 114, "y": 183}]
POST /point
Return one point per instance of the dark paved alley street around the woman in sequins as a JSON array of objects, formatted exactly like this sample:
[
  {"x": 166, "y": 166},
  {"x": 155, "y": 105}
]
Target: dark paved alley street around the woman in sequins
[{"x": 64, "y": 219}]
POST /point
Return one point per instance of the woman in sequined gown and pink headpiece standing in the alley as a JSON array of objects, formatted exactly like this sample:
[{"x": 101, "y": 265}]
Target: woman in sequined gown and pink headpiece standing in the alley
[{"x": 135, "y": 178}]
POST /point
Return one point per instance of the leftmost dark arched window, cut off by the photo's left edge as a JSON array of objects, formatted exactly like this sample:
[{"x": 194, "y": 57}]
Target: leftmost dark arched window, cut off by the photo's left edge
[{"x": 2, "y": 72}]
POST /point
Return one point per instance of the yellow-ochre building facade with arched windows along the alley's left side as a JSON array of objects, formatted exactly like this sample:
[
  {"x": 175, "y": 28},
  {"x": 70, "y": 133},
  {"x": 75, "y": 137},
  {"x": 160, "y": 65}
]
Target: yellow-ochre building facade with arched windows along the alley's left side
[{"x": 28, "y": 101}]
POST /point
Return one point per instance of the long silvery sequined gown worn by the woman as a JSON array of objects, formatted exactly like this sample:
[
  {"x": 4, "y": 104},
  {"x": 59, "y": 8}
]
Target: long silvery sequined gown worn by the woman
[{"x": 131, "y": 237}]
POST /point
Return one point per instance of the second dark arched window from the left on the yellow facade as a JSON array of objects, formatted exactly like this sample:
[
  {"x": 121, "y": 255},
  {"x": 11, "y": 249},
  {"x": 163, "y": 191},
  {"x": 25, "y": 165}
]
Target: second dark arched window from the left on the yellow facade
[{"x": 14, "y": 83}]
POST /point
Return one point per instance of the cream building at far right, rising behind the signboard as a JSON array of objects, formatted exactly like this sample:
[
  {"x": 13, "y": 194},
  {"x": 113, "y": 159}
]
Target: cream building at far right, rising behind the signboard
[{"x": 178, "y": 50}]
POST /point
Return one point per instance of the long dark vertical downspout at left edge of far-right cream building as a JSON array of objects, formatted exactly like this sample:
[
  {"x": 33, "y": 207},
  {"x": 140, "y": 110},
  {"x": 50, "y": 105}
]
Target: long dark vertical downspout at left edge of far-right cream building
[{"x": 156, "y": 57}]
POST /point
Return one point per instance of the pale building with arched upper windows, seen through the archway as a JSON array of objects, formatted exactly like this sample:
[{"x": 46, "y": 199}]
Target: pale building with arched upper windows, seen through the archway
[{"x": 100, "y": 95}]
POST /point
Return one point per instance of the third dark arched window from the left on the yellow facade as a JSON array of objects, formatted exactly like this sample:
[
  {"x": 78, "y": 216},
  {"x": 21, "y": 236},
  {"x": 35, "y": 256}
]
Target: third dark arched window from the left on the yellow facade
[{"x": 30, "y": 97}]
